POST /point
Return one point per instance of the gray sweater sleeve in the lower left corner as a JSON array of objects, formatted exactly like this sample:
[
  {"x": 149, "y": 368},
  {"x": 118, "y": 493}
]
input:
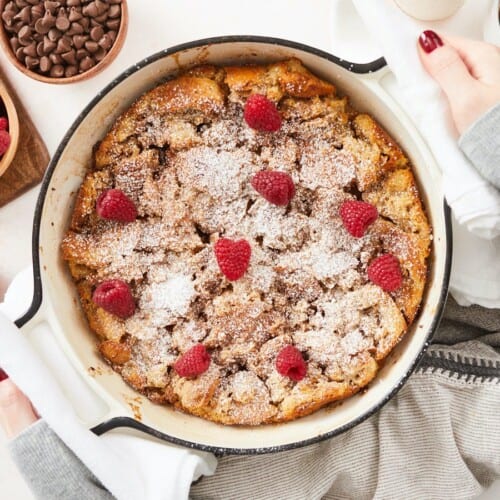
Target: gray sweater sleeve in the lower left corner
[{"x": 51, "y": 469}]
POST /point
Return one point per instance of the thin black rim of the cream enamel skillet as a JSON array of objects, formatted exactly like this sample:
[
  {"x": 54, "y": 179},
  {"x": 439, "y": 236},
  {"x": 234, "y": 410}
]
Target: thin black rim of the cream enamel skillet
[{"x": 118, "y": 422}]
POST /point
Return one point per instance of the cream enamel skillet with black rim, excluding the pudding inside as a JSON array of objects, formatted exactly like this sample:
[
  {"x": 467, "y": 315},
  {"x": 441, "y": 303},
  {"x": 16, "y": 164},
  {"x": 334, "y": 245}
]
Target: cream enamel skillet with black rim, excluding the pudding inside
[{"x": 55, "y": 301}]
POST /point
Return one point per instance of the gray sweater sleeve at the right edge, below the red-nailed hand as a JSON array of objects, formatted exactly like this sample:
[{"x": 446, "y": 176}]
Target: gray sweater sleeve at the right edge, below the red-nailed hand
[{"x": 481, "y": 144}]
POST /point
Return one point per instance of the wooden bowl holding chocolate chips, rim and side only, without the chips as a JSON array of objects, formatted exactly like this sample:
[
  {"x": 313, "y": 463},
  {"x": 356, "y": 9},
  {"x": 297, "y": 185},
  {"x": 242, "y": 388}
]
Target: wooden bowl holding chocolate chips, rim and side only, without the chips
[{"x": 110, "y": 56}]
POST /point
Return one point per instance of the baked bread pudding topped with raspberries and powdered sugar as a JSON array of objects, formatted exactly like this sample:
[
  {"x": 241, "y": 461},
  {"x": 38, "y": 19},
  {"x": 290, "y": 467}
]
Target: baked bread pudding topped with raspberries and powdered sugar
[{"x": 246, "y": 246}]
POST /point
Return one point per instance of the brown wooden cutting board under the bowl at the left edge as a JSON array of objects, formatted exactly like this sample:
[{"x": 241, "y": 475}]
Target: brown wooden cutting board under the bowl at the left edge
[{"x": 32, "y": 157}]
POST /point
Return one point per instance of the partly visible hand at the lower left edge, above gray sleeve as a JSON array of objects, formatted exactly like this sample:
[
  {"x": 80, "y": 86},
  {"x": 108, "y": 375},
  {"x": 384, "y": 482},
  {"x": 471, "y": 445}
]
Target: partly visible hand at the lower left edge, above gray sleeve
[{"x": 16, "y": 412}]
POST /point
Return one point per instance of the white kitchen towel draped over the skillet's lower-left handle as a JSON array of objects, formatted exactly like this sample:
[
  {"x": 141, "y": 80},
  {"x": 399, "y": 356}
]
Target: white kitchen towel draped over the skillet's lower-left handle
[{"x": 153, "y": 470}]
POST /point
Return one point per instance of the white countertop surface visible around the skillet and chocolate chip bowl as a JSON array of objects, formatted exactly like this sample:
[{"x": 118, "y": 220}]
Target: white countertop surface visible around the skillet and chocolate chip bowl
[{"x": 153, "y": 26}]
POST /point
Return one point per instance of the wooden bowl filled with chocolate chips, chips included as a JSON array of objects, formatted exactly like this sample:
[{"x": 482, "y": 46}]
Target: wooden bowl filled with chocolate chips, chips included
[{"x": 62, "y": 41}]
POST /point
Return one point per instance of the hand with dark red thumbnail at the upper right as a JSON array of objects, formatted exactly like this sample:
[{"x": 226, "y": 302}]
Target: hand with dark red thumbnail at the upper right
[{"x": 468, "y": 71}]
